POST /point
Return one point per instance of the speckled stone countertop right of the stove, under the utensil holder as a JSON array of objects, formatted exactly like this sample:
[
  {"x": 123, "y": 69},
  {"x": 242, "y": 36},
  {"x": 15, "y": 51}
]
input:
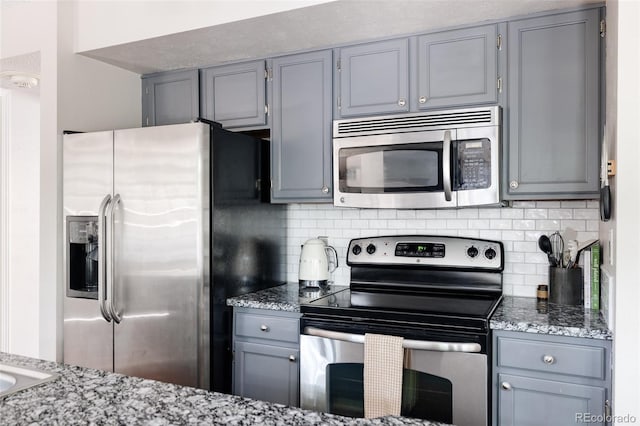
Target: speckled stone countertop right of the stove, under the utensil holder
[{"x": 527, "y": 315}]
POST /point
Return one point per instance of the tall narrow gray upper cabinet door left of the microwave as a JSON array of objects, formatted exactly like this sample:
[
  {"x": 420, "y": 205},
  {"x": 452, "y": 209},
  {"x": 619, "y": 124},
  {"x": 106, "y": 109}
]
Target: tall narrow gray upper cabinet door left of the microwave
[{"x": 301, "y": 128}]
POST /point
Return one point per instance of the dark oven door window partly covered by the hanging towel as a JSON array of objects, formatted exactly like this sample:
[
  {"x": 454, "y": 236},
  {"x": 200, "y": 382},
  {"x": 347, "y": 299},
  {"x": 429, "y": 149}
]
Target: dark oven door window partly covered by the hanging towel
[{"x": 424, "y": 396}]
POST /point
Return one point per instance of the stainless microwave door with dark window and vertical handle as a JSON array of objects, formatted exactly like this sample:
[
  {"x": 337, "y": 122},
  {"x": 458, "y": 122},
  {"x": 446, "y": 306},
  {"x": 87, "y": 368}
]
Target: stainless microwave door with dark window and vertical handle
[{"x": 398, "y": 170}]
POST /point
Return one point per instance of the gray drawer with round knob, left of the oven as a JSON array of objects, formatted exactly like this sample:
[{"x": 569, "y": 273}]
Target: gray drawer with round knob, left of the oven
[{"x": 267, "y": 327}]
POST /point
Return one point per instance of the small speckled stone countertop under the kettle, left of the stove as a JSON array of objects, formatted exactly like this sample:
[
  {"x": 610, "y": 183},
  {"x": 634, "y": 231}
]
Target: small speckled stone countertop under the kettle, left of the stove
[{"x": 287, "y": 297}]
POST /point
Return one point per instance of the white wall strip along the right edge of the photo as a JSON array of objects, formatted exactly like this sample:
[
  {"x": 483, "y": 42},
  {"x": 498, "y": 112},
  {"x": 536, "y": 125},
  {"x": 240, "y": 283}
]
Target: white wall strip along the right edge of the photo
[{"x": 624, "y": 19}]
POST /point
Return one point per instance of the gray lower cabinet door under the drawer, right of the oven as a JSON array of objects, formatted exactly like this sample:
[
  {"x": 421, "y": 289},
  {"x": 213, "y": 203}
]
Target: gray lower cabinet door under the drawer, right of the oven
[{"x": 524, "y": 401}]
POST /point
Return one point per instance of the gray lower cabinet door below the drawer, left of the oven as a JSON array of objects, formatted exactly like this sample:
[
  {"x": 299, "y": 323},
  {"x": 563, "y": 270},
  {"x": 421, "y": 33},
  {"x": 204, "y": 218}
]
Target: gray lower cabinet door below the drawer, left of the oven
[{"x": 267, "y": 373}]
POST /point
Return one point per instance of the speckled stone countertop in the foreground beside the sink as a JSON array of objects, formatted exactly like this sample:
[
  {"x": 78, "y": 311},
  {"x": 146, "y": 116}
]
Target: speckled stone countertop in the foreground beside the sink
[{"x": 83, "y": 396}]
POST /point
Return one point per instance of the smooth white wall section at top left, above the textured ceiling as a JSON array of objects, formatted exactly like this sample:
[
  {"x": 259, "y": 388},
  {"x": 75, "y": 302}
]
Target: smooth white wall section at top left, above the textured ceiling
[{"x": 139, "y": 20}]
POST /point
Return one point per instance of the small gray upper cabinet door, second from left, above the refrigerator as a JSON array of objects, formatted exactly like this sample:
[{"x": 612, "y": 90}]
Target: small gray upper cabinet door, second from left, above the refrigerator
[{"x": 234, "y": 95}]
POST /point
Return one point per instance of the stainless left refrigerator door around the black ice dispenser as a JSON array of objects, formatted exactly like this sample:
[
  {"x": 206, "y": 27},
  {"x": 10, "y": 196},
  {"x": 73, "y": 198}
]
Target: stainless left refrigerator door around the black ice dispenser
[{"x": 88, "y": 177}]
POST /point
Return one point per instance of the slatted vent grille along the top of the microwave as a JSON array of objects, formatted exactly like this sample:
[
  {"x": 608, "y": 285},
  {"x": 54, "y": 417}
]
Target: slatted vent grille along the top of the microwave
[{"x": 472, "y": 117}]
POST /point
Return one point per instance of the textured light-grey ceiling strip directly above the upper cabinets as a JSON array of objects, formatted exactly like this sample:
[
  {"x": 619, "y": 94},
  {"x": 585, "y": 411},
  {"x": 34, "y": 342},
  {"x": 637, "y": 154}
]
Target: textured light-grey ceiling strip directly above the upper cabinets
[{"x": 313, "y": 27}]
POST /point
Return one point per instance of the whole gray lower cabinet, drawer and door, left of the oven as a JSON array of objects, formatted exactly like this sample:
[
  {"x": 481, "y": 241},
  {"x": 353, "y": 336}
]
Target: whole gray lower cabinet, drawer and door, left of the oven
[{"x": 266, "y": 349}]
